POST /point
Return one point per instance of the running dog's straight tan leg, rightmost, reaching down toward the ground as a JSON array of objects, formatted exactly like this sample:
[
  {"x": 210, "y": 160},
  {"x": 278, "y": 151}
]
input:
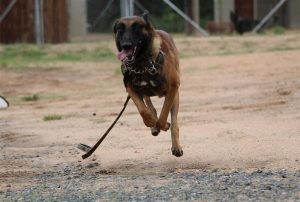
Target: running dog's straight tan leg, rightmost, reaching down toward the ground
[{"x": 176, "y": 148}]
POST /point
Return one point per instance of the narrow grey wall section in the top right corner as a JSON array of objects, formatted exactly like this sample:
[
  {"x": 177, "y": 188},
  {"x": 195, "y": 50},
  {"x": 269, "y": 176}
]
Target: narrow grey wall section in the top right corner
[{"x": 294, "y": 13}]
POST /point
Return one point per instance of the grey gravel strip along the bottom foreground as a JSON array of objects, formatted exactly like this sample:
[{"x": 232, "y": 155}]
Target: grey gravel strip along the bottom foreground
[{"x": 76, "y": 183}]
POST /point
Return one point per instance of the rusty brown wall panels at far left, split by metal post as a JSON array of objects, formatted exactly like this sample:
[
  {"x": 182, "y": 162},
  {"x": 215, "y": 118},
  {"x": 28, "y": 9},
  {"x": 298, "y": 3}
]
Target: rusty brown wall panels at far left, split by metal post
[{"x": 19, "y": 24}]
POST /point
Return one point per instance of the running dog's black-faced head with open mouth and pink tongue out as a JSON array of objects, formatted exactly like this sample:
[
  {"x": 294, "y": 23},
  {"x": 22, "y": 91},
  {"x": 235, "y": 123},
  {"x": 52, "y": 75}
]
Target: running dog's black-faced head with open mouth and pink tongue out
[{"x": 132, "y": 35}]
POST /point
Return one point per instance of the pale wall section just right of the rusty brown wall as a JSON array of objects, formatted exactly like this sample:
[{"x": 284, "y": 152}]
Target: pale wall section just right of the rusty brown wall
[{"x": 77, "y": 18}]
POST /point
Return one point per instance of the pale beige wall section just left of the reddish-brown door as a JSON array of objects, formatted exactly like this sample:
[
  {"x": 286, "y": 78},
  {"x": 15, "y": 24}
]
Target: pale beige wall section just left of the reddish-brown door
[{"x": 222, "y": 10}]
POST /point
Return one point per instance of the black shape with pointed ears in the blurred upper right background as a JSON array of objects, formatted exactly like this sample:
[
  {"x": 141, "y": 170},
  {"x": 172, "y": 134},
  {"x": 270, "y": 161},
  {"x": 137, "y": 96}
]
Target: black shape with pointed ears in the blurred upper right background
[{"x": 242, "y": 25}]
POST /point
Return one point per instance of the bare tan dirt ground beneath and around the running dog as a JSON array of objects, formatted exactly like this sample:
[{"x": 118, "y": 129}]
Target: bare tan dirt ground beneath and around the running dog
[{"x": 239, "y": 109}]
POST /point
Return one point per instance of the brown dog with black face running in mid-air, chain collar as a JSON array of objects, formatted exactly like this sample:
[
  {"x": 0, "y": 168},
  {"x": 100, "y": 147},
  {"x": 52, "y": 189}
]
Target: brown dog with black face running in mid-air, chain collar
[{"x": 150, "y": 67}]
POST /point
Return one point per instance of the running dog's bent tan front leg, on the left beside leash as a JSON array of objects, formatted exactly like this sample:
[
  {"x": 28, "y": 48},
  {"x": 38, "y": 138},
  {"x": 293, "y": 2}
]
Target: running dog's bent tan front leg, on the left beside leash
[{"x": 148, "y": 118}]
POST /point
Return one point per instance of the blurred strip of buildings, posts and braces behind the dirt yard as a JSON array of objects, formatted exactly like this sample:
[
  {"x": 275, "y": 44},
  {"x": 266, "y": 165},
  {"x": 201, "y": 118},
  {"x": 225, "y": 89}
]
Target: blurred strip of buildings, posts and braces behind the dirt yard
[{"x": 58, "y": 21}]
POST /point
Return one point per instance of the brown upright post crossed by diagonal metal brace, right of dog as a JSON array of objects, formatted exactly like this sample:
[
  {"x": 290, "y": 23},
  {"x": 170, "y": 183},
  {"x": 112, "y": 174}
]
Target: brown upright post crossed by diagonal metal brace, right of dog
[{"x": 192, "y": 10}]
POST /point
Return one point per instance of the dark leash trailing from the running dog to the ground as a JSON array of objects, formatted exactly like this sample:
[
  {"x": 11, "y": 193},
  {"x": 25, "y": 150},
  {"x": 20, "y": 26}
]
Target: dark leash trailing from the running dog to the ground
[{"x": 91, "y": 150}]
